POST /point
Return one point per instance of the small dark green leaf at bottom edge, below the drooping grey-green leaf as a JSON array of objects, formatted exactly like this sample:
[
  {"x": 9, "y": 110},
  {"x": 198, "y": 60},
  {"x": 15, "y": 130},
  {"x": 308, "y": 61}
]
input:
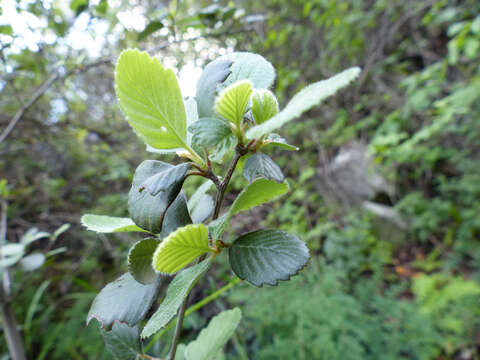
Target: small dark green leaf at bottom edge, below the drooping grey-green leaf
[{"x": 123, "y": 342}]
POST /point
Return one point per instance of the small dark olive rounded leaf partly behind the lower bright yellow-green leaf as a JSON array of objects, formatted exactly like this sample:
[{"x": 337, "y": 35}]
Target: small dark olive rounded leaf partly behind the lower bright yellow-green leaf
[{"x": 140, "y": 260}]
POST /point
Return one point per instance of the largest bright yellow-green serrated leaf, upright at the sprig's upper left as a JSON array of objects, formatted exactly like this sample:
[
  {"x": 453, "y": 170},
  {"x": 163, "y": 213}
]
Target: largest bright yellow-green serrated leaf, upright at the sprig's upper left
[{"x": 150, "y": 98}]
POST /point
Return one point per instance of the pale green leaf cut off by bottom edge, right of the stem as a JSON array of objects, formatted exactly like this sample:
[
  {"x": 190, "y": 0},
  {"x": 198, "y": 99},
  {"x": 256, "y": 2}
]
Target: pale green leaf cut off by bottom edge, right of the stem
[{"x": 211, "y": 339}]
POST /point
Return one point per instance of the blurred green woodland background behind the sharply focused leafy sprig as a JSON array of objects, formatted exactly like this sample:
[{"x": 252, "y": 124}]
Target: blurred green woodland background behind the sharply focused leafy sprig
[{"x": 385, "y": 189}]
